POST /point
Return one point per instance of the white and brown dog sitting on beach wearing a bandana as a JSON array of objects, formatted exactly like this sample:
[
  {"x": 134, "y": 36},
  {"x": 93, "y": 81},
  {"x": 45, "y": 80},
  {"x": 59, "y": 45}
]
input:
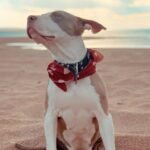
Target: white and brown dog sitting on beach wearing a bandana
[{"x": 76, "y": 104}]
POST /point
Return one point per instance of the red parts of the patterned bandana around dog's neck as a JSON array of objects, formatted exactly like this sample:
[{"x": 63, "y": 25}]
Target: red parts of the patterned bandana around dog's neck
[{"x": 57, "y": 72}]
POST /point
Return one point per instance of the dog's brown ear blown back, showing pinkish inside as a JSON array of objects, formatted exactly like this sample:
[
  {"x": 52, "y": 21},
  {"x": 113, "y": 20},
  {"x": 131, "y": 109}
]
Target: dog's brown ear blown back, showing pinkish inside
[{"x": 94, "y": 26}]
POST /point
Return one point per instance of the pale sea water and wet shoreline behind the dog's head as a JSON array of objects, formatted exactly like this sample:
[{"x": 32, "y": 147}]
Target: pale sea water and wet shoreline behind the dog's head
[{"x": 139, "y": 38}]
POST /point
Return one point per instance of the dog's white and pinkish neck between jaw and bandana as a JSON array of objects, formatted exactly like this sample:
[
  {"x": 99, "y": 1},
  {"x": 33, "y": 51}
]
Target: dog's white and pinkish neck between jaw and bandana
[{"x": 67, "y": 50}]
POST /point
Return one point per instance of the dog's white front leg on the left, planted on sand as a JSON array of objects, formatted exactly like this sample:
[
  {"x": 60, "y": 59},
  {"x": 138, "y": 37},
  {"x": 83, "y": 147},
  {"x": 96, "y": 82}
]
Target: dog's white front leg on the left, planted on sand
[{"x": 50, "y": 127}]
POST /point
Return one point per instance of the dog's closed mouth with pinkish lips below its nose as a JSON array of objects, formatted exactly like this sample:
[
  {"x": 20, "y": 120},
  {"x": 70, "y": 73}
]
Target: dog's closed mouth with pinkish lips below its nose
[{"x": 33, "y": 34}]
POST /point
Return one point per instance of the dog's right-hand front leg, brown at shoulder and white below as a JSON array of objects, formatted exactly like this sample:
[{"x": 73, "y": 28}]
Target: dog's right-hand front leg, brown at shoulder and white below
[{"x": 102, "y": 114}]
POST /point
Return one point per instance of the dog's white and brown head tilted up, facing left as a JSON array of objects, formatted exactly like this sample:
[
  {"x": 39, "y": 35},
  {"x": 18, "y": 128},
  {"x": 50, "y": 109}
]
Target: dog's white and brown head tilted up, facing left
[{"x": 59, "y": 24}]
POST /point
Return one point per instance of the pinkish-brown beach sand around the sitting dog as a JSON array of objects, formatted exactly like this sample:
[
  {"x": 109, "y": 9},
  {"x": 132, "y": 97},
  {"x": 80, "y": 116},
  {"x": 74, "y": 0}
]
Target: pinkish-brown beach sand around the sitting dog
[{"x": 23, "y": 81}]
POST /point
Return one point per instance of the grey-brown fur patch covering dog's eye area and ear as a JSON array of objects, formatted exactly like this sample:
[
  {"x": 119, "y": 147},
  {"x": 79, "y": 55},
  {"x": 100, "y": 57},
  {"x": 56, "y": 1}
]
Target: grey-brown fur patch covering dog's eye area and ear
[{"x": 73, "y": 25}]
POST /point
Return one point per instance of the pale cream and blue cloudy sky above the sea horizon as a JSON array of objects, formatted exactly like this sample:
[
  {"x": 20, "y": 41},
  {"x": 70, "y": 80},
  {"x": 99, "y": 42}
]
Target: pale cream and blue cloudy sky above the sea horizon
[{"x": 114, "y": 14}]
